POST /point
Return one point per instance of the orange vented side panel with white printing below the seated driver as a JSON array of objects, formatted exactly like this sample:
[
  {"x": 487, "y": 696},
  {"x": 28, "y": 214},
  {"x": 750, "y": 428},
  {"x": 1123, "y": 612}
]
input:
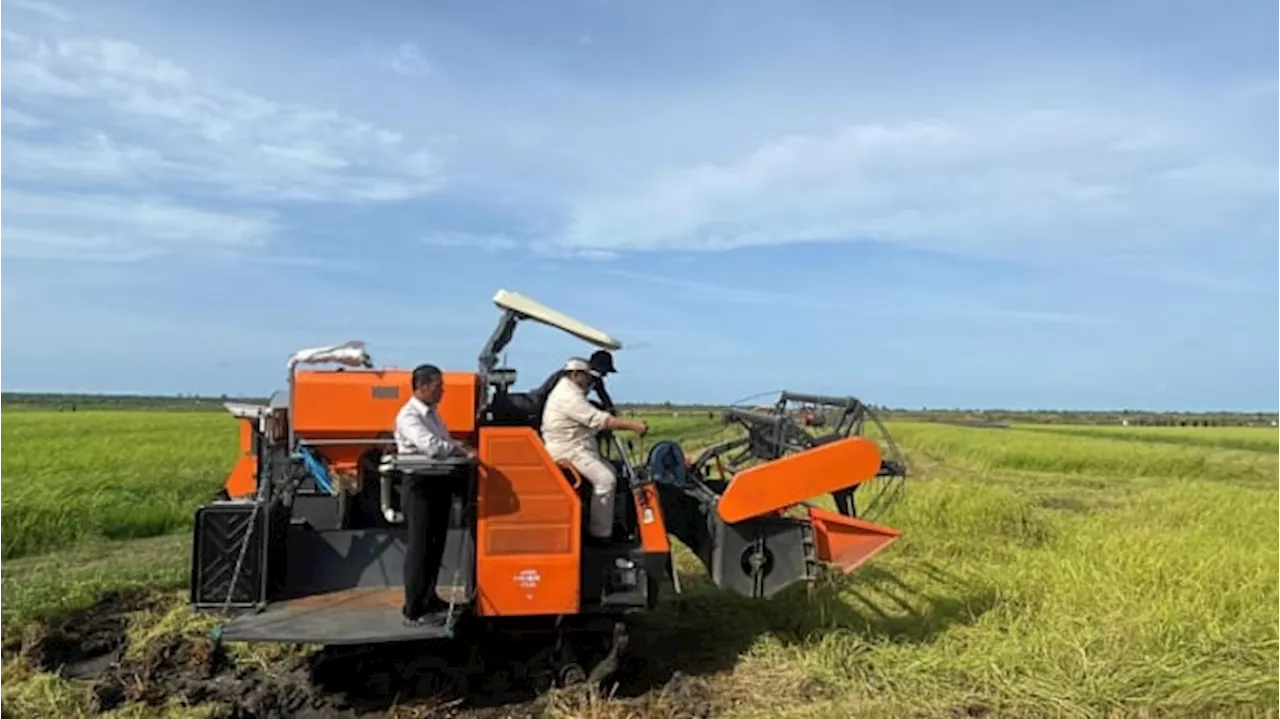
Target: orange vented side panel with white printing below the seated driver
[{"x": 528, "y": 529}]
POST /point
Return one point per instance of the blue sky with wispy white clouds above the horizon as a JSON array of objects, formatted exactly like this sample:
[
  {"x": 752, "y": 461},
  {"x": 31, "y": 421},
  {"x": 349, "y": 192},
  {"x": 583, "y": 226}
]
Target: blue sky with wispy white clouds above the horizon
[{"x": 925, "y": 204}]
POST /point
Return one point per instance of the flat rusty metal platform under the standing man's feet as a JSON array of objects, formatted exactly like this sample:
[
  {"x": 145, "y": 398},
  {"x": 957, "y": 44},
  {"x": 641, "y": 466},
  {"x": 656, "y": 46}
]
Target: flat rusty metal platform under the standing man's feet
[{"x": 349, "y": 617}]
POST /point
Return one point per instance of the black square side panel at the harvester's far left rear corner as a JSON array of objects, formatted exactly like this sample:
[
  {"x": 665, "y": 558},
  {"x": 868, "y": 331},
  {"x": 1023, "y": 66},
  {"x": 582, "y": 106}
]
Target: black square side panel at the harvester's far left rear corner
[{"x": 220, "y": 537}]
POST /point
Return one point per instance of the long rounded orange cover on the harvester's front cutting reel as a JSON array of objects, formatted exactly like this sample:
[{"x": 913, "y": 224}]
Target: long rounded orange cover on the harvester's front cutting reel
[{"x": 797, "y": 478}]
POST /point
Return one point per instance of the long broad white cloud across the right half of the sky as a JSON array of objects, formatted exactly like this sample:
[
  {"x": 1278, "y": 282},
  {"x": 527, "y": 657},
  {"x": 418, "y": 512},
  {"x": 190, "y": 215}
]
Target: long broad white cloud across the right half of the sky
[{"x": 1032, "y": 185}]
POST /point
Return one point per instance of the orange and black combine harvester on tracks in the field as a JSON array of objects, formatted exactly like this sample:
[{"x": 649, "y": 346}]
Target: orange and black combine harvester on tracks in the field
[{"x": 308, "y": 543}]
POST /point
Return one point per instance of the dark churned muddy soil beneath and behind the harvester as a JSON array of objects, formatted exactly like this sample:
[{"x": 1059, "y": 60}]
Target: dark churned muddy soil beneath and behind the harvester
[{"x": 473, "y": 681}]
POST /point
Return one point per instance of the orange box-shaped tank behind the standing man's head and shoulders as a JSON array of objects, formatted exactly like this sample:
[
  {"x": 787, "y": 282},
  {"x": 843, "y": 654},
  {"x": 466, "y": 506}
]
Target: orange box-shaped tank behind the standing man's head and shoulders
[{"x": 359, "y": 404}]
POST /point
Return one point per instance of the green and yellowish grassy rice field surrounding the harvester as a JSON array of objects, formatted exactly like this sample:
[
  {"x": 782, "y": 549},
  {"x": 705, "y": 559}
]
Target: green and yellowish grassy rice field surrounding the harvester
[{"x": 1045, "y": 571}]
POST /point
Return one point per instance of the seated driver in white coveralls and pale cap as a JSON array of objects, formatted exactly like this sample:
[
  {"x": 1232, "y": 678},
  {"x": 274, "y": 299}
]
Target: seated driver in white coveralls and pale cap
[{"x": 570, "y": 425}]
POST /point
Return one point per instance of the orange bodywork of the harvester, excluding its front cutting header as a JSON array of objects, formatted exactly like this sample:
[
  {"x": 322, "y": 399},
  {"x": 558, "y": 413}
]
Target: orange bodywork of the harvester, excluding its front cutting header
[{"x": 529, "y": 511}]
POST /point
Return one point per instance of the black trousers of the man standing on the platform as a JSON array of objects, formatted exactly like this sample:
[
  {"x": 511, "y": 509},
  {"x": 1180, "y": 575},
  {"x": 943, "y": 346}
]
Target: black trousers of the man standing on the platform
[{"x": 426, "y": 502}]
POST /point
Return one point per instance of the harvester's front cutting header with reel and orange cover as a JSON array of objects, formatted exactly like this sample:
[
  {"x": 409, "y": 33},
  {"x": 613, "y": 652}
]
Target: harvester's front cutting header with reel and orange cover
[{"x": 735, "y": 505}]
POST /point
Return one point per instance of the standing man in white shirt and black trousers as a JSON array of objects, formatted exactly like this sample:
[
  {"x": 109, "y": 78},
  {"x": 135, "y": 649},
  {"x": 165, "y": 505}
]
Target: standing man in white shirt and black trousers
[{"x": 426, "y": 500}]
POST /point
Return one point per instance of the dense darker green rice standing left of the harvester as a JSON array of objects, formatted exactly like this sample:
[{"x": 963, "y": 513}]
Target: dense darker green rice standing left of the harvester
[{"x": 67, "y": 478}]
